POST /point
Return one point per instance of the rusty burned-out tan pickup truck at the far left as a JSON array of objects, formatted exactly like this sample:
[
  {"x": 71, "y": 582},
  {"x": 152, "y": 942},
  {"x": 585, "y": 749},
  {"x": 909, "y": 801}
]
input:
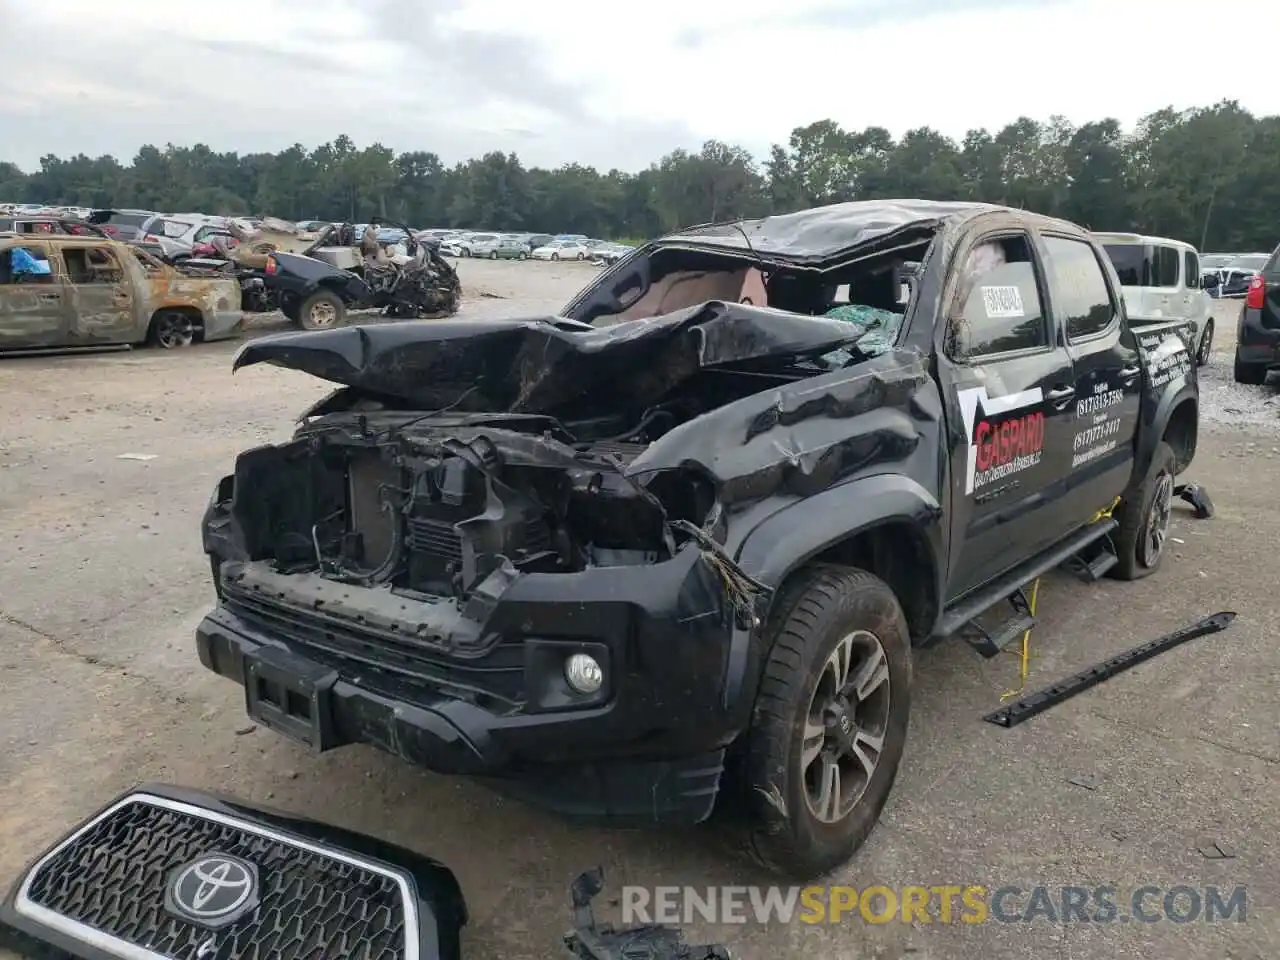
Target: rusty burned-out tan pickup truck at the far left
[{"x": 61, "y": 291}]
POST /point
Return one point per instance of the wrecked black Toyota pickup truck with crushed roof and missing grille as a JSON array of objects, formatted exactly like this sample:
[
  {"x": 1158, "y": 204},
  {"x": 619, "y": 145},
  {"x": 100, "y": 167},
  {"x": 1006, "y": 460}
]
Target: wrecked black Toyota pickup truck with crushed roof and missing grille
[{"x": 680, "y": 543}]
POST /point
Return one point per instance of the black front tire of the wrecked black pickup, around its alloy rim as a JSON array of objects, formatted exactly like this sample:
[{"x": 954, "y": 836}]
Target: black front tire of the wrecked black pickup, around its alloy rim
[{"x": 813, "y": 616}]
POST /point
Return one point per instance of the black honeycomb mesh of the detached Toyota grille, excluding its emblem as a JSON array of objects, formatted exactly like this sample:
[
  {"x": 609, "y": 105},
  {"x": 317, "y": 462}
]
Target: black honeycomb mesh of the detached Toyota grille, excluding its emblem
[{"x": 113, "y": 879}]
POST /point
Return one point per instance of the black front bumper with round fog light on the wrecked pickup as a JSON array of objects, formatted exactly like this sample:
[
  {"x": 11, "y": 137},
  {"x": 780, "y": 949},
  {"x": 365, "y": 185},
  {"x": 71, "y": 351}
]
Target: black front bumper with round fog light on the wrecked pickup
[{"x": 651, "y": 747}]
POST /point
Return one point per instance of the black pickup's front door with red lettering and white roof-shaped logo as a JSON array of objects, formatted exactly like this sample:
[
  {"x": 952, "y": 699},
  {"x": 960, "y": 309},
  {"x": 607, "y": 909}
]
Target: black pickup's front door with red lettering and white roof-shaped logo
[{"x": 1011, "y": 396}]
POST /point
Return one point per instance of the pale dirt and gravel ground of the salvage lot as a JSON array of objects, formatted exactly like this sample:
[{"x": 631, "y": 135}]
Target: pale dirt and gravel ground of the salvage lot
[{"x": 104, "y": 584}]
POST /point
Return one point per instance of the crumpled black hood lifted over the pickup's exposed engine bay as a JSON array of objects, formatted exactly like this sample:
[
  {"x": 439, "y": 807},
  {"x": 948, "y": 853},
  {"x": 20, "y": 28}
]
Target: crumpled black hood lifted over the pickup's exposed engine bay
[{"x": 538, "y": 365}]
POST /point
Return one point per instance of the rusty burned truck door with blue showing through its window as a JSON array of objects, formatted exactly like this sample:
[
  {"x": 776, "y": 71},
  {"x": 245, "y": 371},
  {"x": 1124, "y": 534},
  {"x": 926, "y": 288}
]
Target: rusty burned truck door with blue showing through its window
[{"x": 34, "y": 300}]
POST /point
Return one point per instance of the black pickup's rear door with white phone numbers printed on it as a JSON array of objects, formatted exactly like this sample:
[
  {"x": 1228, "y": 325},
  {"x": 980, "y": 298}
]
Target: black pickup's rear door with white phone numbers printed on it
[{"x": 1108, "y": 376}]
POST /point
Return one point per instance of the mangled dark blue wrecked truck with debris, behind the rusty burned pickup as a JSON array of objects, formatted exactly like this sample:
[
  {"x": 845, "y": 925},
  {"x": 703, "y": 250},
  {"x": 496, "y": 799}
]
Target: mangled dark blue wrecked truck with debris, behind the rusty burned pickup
[{"x": 316, "y": 277}]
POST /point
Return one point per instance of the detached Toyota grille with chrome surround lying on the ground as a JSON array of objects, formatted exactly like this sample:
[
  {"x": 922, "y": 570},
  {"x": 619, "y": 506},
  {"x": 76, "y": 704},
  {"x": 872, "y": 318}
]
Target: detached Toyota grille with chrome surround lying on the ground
[{"x": 109, "y": 889}]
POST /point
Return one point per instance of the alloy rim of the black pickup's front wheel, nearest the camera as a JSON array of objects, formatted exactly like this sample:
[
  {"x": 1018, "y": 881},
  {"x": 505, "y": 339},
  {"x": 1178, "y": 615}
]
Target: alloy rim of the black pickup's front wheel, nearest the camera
[{"x": 845, "y": 726}]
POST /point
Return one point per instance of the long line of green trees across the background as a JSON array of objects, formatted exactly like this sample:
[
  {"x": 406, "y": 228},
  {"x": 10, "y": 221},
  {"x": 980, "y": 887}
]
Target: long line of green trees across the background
[{"x": 1206, "y": 176}]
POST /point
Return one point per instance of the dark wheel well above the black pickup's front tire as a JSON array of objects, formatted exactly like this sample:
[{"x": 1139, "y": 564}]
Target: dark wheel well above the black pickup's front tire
[{"x": 899, "y": 555}]
